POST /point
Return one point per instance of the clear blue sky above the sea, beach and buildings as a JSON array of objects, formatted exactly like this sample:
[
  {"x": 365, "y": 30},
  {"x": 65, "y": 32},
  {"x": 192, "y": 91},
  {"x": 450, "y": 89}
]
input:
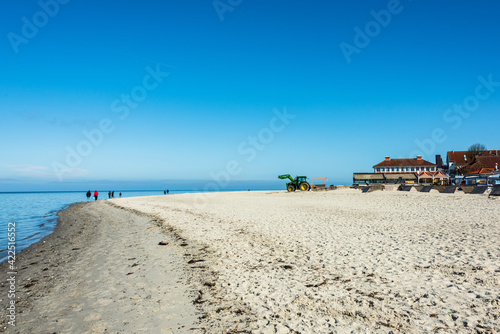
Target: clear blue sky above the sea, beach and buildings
[{"x": 222, "y": 71}]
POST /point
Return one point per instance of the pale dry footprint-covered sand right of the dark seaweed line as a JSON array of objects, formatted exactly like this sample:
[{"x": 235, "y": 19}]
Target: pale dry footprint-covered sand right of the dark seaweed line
[{"x": 339, "y": 261}]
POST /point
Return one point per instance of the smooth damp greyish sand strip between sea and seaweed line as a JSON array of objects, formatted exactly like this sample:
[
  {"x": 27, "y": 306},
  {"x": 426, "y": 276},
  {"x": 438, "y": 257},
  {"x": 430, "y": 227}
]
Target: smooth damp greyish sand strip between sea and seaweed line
[{"x": 66, "y": 278}]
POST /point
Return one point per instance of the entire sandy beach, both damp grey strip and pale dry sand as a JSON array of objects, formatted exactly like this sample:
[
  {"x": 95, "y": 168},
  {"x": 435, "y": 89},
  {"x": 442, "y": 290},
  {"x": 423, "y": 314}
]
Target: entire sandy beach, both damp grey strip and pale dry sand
[{"x": 267, "y": 262}]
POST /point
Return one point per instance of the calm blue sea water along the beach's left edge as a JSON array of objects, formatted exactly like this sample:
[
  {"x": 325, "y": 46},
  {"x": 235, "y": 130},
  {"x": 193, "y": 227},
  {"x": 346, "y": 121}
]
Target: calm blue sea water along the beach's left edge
[{"x": 35, "y": 213}]
